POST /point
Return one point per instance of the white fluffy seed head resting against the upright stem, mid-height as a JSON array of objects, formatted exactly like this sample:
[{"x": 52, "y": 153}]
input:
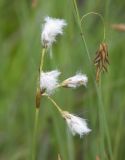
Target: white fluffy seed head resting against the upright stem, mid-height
[{"x": 49, "y": 81}]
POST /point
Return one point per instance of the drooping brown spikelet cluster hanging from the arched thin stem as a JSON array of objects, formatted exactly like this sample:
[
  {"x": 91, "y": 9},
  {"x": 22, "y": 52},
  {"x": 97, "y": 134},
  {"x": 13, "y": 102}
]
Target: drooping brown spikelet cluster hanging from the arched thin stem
[{"x": 101, "y": 60}]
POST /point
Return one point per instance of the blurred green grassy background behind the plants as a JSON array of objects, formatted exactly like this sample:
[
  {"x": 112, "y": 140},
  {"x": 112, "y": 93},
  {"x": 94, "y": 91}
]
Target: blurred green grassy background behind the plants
[{"x": 20, "y": 51}]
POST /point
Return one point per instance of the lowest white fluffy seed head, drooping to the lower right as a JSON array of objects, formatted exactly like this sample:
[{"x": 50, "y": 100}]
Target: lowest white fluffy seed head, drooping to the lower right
[{"x": 76, "y": 124}]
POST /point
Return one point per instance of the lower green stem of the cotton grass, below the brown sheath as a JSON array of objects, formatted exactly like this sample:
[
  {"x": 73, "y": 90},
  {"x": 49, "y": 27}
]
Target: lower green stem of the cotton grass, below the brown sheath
[{"x": 35, "y": 134}]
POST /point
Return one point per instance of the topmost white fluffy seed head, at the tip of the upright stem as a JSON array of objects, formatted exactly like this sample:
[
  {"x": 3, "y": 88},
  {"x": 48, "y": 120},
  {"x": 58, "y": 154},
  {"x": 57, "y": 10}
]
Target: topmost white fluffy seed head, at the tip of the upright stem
[{"x": 51, "y": 28}]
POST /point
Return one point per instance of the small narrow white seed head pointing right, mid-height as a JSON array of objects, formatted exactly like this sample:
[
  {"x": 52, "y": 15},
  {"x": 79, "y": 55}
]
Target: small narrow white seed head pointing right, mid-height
[{"x": 75, "y": 81}]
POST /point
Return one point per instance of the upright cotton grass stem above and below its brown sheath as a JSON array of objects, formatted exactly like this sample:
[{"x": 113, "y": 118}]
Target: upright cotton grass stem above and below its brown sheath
[{"x": 37, "y": 110}]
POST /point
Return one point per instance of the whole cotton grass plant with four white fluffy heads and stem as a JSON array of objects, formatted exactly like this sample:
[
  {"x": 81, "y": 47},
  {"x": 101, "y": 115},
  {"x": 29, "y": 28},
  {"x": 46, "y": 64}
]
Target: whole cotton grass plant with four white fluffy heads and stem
[{"x": 48, "y": 82}]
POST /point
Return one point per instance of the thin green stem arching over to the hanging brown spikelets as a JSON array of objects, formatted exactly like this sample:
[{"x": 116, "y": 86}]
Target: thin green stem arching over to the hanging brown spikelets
[{"x": 101, "y": 17}]
